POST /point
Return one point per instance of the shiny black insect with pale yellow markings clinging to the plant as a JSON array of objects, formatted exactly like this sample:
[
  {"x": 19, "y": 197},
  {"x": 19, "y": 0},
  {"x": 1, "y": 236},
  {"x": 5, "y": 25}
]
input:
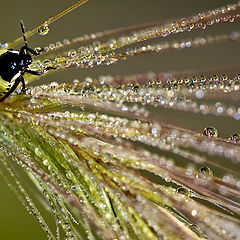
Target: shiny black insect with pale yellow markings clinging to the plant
[{"x": 13, "y": 65}]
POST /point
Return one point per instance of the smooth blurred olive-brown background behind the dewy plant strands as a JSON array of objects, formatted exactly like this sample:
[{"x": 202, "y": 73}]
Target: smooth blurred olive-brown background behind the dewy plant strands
[{"x": 99, "y": 15}]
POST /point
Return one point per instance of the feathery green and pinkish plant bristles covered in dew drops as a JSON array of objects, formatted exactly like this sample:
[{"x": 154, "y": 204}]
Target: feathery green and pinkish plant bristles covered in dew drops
[{"x": 100, "y": 157}]
